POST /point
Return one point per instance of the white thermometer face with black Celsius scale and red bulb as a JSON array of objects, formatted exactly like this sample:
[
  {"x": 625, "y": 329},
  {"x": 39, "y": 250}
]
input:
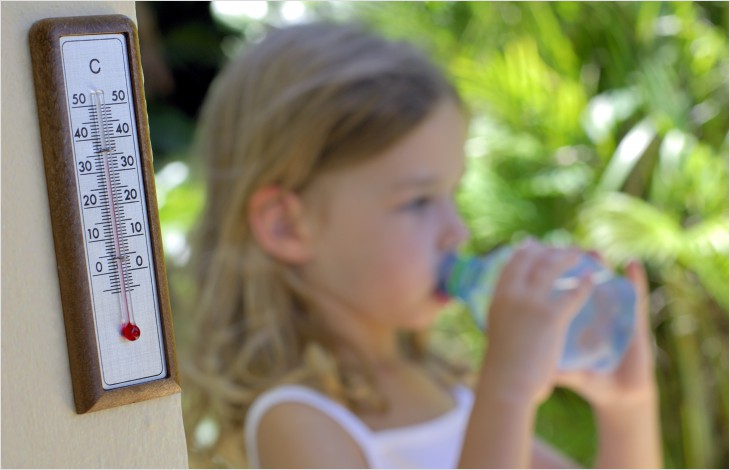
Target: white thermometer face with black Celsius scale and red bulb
[{"x": 111, "y": 198}]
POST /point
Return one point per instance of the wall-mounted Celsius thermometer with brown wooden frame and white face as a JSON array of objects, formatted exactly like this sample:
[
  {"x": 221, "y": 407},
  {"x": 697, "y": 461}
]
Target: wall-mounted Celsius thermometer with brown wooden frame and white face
[{"x": 98, "y": 161}]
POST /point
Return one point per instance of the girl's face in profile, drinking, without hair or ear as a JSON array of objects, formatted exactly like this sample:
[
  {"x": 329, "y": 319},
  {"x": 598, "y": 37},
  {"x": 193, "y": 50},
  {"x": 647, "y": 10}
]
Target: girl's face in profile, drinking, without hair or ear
[{"x": 379, "y": 229}]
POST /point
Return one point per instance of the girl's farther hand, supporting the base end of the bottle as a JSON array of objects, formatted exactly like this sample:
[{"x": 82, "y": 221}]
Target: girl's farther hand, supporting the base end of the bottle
[{"x": 633, "y": 380}]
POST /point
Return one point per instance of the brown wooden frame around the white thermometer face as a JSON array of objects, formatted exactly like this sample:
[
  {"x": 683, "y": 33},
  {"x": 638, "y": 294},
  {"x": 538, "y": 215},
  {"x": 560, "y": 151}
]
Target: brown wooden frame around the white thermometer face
[{"x": 68, "y": 237}]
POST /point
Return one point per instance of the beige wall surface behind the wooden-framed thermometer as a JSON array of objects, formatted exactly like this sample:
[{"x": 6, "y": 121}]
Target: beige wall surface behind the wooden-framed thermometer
[{"x": 39, "y": 425}]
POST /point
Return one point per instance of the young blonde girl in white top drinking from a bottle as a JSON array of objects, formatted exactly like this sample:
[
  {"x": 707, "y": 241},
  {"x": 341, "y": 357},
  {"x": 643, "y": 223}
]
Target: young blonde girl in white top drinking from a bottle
[{"x": 332, "y": 157}]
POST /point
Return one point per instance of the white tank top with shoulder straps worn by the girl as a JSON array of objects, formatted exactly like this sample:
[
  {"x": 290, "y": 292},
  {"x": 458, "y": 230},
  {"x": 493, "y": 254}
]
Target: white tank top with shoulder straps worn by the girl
[{"x": 433, "y": 444}]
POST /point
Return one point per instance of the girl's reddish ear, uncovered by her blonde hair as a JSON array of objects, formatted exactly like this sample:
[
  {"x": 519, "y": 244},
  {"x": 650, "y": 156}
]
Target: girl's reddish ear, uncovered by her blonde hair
[{"x": 276, "y": 219}]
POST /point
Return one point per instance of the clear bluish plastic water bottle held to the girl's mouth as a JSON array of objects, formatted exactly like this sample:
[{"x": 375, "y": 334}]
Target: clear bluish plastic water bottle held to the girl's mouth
[{"x": 598, "y": 335}]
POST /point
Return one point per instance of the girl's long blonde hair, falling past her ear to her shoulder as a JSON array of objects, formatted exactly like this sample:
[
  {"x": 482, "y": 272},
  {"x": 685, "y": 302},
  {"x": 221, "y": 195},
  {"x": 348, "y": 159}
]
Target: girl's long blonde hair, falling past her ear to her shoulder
[{"x": 305, "y": 100}]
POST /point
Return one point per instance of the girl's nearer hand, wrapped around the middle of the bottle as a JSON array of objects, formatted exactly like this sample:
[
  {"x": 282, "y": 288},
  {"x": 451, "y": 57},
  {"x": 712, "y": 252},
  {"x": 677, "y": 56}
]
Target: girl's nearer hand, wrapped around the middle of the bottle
[{"x": 527, "y": 323}]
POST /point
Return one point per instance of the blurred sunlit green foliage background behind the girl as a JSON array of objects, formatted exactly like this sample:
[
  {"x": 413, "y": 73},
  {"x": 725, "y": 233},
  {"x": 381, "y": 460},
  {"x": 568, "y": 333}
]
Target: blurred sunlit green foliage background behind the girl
[{"x": 602, "y": 124}]
